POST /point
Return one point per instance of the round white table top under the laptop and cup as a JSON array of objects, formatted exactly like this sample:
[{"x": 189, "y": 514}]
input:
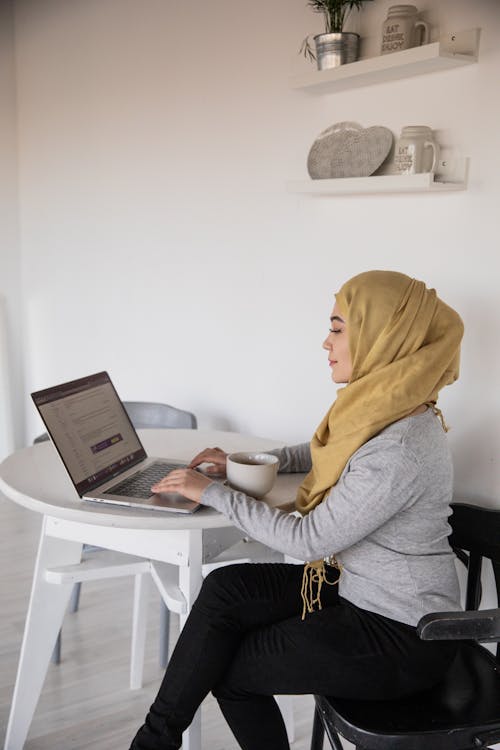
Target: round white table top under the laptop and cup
[{"x": 35, "y": 478}]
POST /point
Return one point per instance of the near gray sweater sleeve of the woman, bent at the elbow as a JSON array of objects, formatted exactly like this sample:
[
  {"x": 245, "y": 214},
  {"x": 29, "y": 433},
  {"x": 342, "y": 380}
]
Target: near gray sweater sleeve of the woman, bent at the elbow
[{"x": 375, "y": 484}]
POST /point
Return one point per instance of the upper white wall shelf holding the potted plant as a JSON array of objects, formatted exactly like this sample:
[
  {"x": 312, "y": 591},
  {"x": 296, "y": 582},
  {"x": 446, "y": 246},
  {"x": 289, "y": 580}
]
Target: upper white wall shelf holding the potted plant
[{"x": 454, "y": 49}]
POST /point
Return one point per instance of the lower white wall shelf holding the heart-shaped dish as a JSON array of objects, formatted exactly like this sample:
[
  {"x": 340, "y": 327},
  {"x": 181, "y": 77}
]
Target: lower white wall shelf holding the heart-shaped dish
[{"x": 425, "y": 182}]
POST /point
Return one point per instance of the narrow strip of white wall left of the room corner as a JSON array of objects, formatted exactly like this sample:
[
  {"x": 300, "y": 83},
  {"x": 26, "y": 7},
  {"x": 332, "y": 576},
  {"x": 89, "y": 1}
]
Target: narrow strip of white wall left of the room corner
[{"x": 11, "y": 400}]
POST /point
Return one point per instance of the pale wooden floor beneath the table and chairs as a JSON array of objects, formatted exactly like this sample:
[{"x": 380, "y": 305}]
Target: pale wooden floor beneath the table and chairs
[{"x": 85, "y": 702}]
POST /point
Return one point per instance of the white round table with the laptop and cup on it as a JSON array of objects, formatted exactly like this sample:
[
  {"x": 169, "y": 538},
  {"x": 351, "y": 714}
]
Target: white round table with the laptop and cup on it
[{"x": 171, "y": 547}]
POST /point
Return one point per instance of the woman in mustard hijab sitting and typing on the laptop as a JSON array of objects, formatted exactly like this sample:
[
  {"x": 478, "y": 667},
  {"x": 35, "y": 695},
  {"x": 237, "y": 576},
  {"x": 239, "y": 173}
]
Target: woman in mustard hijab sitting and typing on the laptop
[{"x": 374, "y": 510}]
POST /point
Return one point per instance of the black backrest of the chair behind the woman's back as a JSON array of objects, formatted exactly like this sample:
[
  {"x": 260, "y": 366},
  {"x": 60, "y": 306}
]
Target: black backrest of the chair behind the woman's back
[{"x": 476, "y": 531}]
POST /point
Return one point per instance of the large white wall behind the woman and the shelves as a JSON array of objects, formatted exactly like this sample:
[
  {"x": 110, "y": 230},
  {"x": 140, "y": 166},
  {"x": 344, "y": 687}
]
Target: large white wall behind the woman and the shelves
[{"x": 159, "y": 241}]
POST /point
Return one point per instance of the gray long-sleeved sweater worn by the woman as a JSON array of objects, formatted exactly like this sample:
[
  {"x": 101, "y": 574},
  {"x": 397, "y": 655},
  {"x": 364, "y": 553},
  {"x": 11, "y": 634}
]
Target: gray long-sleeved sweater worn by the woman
[{"x": 385, "y": 520}]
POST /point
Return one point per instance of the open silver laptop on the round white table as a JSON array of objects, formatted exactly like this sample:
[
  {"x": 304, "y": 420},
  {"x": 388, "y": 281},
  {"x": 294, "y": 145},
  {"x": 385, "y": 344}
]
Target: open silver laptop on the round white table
[{"x": 100, "y": 448}]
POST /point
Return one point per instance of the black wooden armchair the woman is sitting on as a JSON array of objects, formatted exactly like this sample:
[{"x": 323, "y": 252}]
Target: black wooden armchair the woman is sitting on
[{"x": 463, "y": 711}]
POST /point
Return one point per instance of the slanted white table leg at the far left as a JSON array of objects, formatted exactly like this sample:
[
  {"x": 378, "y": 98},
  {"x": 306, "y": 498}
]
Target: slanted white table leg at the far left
[{"x": 46, "y": 609}]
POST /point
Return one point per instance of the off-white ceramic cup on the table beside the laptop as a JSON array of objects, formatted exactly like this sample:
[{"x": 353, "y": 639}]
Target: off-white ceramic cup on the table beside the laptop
[{"x": 252, "y": 473}]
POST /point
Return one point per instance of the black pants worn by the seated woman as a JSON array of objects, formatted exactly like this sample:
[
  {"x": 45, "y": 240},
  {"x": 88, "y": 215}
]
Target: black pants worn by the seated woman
[{"x": 245, "y": 641}]
